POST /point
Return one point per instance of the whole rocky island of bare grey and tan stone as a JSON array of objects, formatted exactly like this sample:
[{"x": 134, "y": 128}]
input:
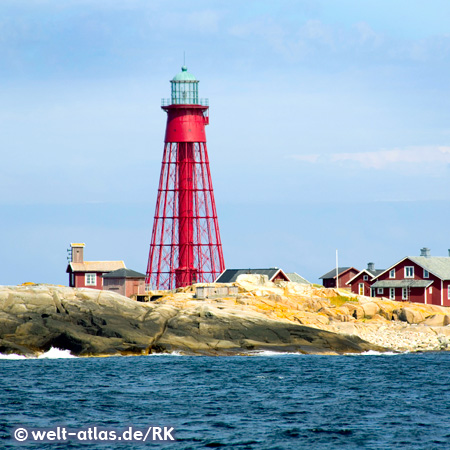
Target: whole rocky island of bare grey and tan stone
[{"x": 283, "y": 317}]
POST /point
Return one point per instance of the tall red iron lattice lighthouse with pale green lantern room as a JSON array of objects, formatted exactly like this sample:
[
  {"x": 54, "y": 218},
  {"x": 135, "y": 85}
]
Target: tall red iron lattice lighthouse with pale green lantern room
[{"x": 185, "y": 246}]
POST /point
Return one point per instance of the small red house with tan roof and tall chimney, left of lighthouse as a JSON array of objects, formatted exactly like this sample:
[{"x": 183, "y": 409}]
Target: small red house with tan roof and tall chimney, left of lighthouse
[{"x": 88, "y": 274}]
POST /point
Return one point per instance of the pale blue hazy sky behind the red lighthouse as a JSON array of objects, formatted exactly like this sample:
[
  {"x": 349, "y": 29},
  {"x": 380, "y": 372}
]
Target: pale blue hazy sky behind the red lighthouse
[{"x": 329, "y": 129}]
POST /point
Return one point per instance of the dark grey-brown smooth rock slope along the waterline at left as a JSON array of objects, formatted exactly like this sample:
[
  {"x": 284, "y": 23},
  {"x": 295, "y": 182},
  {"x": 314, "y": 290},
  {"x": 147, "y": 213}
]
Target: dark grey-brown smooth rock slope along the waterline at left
[{"x": 88, "y": 323}]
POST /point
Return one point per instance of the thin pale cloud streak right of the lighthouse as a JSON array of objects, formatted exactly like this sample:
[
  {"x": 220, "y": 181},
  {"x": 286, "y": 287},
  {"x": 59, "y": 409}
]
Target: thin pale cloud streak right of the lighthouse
[{"x": 412, "y": 157}]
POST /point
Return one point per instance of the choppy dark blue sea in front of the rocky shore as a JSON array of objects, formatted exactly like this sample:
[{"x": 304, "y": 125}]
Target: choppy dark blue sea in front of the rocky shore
[{"x": 261, "y": 401}]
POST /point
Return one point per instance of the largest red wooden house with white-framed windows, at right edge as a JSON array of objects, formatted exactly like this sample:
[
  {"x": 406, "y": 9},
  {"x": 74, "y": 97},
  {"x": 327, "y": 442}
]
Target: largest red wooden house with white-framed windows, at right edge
[{"x": 419, "y": 279}]
